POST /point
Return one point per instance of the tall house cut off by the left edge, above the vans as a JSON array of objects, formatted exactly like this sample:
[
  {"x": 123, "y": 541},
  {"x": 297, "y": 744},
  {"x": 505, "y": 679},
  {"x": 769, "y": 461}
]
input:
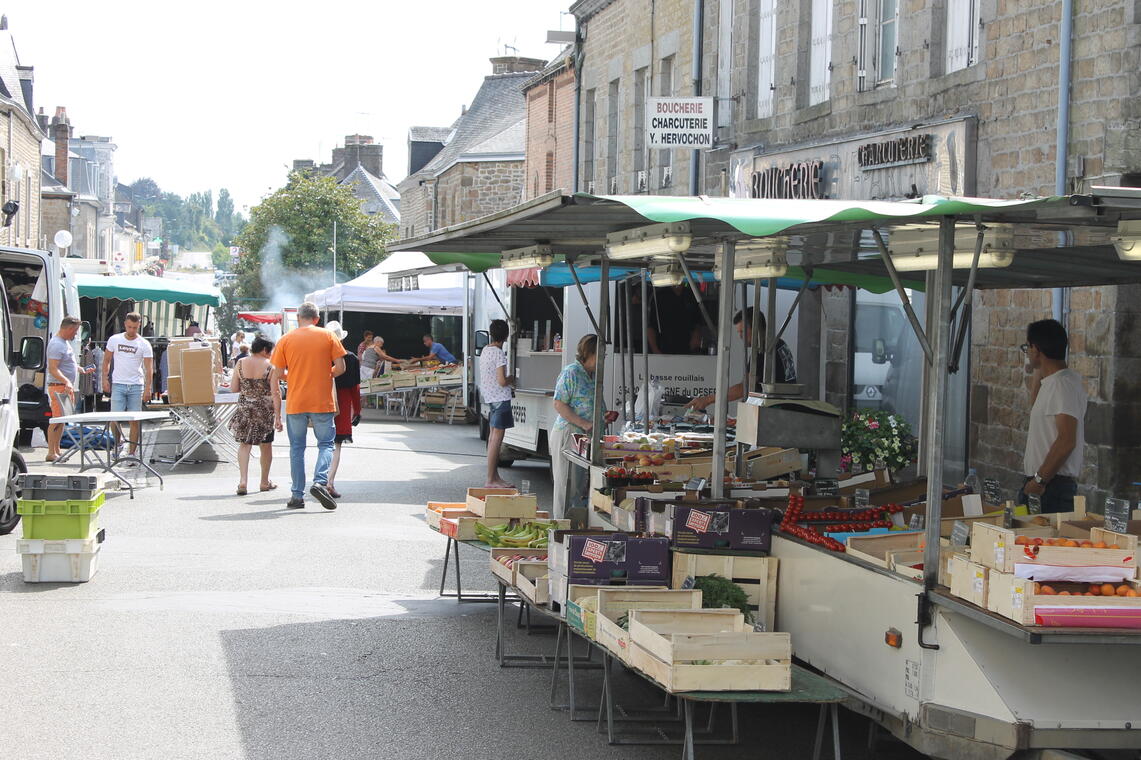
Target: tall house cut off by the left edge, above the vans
[{"x": 20, "y": 148}]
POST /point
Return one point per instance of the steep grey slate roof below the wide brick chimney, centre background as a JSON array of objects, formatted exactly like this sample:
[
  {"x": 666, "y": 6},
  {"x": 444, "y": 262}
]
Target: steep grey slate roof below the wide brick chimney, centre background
[{"x": 490, "y": 126}]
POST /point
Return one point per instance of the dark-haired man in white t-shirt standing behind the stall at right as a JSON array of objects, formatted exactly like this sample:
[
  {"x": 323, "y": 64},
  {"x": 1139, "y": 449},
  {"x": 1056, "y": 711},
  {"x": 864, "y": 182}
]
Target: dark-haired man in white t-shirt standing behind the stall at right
[{"x": 1057, "y": 433}]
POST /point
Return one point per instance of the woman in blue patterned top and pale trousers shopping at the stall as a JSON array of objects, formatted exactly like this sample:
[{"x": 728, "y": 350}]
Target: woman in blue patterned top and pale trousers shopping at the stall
[{"x": 574, "y": 402}]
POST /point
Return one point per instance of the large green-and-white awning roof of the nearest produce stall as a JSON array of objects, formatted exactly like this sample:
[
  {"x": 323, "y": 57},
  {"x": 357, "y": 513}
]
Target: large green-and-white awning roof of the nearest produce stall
[{"x": 1059, "y": 241}]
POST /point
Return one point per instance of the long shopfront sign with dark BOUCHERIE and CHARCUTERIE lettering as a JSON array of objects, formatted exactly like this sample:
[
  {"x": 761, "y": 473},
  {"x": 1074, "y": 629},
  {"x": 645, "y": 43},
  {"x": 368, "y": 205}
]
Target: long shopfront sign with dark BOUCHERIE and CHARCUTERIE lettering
[{"x": 892, "y": 165}]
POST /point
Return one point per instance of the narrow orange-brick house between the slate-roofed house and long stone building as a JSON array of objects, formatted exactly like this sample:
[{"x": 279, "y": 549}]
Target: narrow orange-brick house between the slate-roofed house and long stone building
[{"x": 549, "y": 161}]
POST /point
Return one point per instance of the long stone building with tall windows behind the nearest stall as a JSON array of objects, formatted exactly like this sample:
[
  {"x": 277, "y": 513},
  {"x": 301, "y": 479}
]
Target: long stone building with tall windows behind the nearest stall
[{"x": 974, "y": 88}]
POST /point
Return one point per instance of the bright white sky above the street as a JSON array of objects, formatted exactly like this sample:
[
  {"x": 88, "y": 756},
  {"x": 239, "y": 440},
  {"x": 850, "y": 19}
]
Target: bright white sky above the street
[{"x": 207, "y": 95}]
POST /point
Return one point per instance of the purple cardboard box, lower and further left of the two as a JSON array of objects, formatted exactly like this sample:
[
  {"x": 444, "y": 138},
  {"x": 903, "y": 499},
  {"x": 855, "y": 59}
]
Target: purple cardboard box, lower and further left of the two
[{"x": 619, "y": 556}]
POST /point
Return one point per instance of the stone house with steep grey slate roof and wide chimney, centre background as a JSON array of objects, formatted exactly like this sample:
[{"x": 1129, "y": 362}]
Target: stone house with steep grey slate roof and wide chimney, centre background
[{"x": 480, "y": 167}]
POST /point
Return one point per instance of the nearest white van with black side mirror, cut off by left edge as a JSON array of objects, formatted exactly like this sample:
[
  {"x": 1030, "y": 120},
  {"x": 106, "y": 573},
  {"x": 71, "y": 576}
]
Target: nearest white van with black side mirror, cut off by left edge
[{"x": 28, "y": 358}]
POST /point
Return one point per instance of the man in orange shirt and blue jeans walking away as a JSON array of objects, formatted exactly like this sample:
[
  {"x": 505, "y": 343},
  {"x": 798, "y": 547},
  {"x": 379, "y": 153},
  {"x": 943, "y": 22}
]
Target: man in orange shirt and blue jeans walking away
[{"x": 309, "y": 359}]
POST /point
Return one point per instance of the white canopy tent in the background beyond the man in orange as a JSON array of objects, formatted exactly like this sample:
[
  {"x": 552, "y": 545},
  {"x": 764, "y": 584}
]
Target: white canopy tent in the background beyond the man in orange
[{"x": 436, "y": 294}]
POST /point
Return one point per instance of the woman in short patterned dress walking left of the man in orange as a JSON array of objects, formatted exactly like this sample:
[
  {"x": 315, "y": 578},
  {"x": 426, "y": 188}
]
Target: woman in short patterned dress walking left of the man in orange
[{"x": 258, "y": 413}]
